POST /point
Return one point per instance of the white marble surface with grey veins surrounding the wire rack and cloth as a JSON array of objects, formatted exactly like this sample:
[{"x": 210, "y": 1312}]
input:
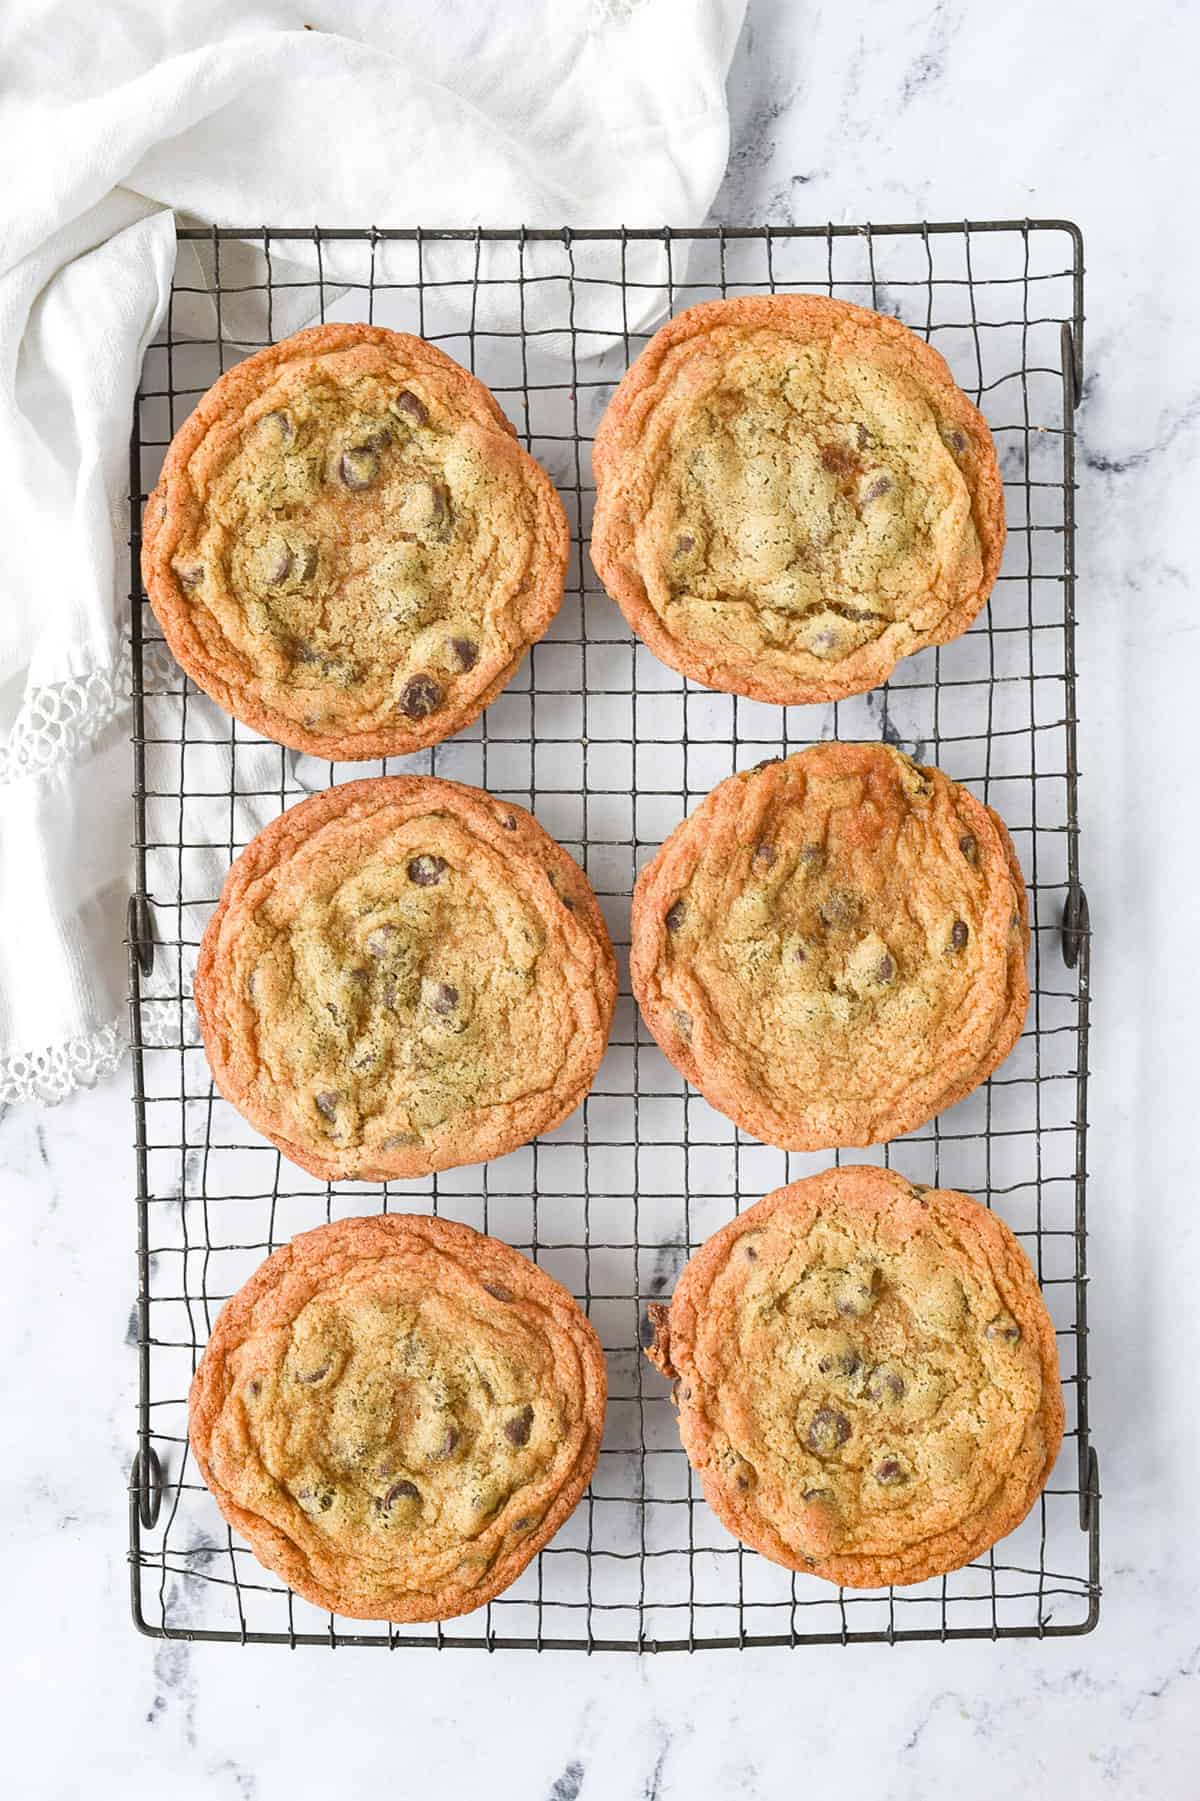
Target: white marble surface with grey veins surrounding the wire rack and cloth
[{"x": 841, "y": 113}]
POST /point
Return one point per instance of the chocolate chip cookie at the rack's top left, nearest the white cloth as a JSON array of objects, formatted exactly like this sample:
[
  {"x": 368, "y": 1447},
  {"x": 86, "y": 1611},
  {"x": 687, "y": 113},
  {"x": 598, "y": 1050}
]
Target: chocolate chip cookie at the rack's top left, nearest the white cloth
[{"x": 347, "y": 548}]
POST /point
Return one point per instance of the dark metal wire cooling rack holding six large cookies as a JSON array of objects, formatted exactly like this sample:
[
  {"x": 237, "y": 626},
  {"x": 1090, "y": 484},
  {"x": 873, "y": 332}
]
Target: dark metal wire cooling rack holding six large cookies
[{"x": 610, "y": 750}]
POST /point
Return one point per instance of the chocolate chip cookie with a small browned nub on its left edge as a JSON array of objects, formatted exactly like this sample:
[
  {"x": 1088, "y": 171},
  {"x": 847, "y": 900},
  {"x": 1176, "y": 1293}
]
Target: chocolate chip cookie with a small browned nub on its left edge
[{"x": 868, "y": 1379}]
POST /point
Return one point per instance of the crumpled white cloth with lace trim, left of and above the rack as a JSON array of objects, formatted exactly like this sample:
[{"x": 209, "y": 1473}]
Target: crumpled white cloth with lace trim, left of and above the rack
[{"x": 536, "y": 113}]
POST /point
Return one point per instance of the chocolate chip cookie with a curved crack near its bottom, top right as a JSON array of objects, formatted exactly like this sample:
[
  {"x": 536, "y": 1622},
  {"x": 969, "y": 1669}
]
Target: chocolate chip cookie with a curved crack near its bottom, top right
[{"x": 792, "y": 496}]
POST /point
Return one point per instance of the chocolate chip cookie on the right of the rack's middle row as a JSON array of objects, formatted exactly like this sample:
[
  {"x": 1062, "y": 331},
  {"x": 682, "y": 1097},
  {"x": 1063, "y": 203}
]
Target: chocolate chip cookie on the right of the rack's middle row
[{"x": 833, "y": 946}]
